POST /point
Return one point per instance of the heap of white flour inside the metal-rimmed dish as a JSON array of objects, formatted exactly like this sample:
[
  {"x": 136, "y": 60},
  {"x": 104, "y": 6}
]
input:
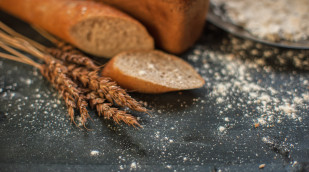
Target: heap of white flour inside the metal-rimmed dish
[{"x": 268, "y": 19}]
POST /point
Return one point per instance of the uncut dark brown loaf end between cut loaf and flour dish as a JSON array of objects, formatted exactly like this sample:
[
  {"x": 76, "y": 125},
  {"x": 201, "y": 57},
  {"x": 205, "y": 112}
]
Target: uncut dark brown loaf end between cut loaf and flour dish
[{"x": 175, "y": 24}]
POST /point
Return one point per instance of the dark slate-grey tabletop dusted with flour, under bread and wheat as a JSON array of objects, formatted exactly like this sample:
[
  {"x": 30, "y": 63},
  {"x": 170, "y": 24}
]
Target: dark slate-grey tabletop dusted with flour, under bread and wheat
[{"x": 187, "y": 131}]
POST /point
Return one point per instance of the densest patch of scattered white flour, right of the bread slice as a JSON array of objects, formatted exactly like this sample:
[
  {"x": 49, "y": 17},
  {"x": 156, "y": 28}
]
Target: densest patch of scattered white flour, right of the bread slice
[{"x": 250, "y": 85}]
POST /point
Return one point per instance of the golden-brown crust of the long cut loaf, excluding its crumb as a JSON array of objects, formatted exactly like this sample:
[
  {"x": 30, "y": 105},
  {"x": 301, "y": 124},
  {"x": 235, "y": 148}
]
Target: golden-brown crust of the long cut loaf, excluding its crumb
[{"x": 60, "y": 16}]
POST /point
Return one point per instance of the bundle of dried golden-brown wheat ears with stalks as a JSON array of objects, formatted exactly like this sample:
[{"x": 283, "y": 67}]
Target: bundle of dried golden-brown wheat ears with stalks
[{"x": 74, "y": 75}]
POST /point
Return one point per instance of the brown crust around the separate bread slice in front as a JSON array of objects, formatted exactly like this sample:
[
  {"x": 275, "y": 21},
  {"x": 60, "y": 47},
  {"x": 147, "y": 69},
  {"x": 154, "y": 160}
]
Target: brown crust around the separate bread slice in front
[{"x": 136, "y": 84}]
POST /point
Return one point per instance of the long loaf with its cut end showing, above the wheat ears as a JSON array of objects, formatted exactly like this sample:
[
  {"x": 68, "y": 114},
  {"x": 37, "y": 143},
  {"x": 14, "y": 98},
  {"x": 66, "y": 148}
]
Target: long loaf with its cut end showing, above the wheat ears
[{"x": 93, "y": 27}]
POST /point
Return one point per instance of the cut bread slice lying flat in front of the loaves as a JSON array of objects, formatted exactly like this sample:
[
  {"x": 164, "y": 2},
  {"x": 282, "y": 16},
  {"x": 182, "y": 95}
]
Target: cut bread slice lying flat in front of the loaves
[{"x": 152, "y": 72}]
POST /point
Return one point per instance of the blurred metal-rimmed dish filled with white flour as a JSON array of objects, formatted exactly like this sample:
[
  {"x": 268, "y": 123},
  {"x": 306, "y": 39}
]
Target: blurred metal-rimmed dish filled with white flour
[{"x": 277, "y": 22}]
